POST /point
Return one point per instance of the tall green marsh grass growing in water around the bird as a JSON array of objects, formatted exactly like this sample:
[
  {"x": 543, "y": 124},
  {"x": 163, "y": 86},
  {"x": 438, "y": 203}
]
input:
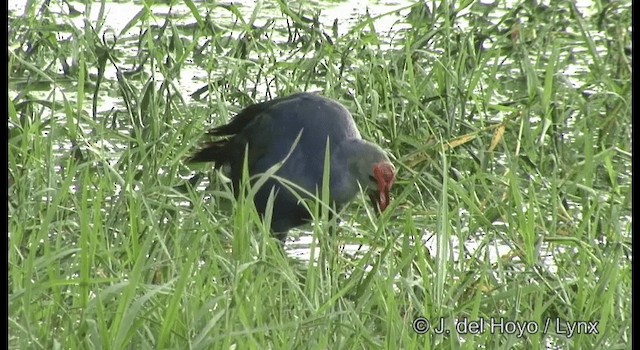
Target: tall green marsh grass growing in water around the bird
[{"x": 509, "y": 126}]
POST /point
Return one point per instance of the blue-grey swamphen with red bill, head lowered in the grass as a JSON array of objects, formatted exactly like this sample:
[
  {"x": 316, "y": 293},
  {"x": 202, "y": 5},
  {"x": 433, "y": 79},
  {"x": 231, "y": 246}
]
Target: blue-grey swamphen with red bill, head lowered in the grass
[{"x": 294, "y": 130}]
